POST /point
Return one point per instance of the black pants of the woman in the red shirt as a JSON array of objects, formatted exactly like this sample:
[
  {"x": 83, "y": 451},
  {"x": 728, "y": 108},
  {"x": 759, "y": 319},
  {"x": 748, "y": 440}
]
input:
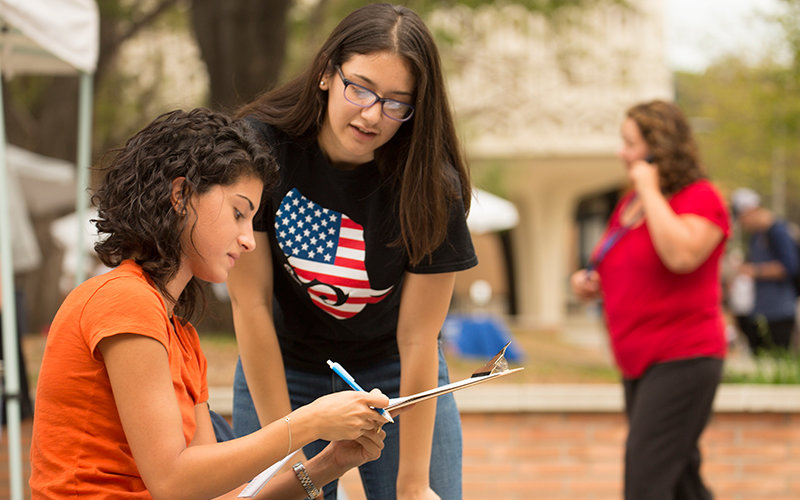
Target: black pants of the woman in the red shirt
[{"x": 668, "y": 408}]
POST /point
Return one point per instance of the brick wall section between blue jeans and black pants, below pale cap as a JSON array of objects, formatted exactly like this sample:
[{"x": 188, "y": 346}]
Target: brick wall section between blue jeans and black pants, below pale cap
[{"x": 543, "y": 456}]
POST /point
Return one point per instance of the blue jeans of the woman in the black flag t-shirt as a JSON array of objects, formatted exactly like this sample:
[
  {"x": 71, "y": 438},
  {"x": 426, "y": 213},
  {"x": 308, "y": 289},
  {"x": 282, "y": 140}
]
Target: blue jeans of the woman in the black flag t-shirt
[{"x": 379, "y": 477}]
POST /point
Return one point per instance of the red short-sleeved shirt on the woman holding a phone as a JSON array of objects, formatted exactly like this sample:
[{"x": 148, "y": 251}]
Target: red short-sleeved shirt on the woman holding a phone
[{"x": 653, "y": 314}]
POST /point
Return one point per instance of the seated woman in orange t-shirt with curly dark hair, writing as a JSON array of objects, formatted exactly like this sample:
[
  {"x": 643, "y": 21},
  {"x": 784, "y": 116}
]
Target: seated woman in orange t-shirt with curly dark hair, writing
[{"x": 122, "y": 401}]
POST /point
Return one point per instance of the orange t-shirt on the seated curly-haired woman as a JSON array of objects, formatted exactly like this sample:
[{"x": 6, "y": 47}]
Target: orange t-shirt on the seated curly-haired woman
[{"x": 79, "y": 449}]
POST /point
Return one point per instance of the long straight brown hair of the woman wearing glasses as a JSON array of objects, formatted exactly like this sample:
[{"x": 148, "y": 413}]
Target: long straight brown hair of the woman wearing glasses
[{"x": 423, "y": 160}]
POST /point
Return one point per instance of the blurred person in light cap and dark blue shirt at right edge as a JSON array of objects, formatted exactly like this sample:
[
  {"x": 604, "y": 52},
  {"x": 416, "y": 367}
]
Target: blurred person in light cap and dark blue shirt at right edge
[{"x": 771, "y": 262}]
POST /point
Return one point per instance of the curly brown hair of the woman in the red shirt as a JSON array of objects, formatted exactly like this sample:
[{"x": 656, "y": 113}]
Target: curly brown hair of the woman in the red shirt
[{"x": 669, "y": 138}]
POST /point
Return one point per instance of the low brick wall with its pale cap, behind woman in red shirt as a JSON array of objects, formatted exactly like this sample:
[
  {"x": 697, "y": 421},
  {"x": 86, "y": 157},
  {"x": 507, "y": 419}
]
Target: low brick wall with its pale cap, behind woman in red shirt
[{"x": 566, "y": 442}]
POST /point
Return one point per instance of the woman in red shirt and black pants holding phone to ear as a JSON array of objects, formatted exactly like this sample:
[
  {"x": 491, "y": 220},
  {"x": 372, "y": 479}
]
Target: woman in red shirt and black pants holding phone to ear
[{"x": 656, "y": 270}]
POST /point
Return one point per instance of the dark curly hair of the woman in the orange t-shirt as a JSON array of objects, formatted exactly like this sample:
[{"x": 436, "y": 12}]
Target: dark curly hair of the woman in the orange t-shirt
[{"x": 133, "y": 203}]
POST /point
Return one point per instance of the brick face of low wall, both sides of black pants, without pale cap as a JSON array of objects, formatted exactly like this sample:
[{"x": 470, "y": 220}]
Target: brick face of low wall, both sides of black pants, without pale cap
[{"x": 543, "y": 456}]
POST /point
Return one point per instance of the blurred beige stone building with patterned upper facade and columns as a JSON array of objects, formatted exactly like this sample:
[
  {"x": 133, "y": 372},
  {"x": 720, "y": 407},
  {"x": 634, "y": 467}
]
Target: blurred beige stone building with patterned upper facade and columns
[{"x": 539, "y": 107}]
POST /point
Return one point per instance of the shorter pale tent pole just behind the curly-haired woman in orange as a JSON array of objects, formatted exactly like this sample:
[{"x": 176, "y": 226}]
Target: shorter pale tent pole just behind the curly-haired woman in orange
[{"x": 83, "y": 160}]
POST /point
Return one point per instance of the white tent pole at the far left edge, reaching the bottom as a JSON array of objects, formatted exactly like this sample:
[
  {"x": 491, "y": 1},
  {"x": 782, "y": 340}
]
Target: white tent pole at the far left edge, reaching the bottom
[{"x": 10, "y": 340}]
